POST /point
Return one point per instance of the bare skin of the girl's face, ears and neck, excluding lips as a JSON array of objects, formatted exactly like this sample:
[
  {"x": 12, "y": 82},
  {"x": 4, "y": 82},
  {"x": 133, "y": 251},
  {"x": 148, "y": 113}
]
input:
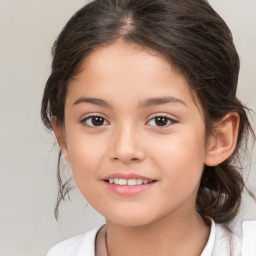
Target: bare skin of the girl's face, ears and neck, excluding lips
[{"x": 125, "y": 76}]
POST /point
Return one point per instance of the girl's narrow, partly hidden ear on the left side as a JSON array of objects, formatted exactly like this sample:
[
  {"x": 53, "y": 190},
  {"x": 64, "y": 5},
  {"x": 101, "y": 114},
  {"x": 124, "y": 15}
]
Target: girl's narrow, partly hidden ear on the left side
[{"x": 60, "y": 136}]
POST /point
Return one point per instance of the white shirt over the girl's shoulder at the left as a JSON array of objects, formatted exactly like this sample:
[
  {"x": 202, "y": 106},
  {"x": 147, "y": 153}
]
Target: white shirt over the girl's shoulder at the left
[{"x": 79, "y": 245}]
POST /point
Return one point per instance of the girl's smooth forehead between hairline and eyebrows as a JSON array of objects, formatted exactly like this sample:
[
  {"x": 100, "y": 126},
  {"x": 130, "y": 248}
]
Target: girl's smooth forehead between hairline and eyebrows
[{"x": 122, "y": 67}]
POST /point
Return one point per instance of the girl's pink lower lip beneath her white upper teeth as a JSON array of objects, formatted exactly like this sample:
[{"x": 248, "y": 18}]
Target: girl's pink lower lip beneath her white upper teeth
[{"x": 129, "y": 190}]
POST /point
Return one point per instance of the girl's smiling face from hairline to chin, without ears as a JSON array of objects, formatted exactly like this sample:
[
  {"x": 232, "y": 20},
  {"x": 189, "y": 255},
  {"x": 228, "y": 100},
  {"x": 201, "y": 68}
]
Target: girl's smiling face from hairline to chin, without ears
[{"x": 134, "y": 136}]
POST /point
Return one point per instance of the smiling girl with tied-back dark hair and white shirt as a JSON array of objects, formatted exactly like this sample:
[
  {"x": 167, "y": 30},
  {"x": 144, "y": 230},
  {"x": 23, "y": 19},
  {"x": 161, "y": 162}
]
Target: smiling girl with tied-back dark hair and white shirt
[{"x": 142, "y": 100}]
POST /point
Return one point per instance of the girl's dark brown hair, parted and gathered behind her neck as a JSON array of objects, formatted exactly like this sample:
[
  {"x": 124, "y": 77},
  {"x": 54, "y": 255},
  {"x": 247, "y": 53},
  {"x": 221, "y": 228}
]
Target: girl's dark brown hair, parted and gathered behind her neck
[{"x": 194, "y": 38}]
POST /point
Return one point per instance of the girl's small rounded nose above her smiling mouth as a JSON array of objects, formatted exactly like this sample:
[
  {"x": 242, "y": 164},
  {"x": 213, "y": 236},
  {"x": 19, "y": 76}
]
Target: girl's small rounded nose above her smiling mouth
[{"x": 126, "y": 145}]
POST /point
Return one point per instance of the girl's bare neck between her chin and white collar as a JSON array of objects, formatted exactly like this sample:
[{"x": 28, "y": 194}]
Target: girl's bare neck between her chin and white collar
[{"x": 160, "y": 238}]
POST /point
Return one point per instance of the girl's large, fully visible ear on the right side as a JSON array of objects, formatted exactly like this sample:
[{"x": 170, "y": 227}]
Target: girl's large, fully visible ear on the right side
[{"x": 222, "y": 143}]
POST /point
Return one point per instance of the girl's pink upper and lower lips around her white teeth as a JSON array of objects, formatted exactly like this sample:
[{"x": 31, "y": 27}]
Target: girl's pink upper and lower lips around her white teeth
[{"x": 128, "y": 190}]
